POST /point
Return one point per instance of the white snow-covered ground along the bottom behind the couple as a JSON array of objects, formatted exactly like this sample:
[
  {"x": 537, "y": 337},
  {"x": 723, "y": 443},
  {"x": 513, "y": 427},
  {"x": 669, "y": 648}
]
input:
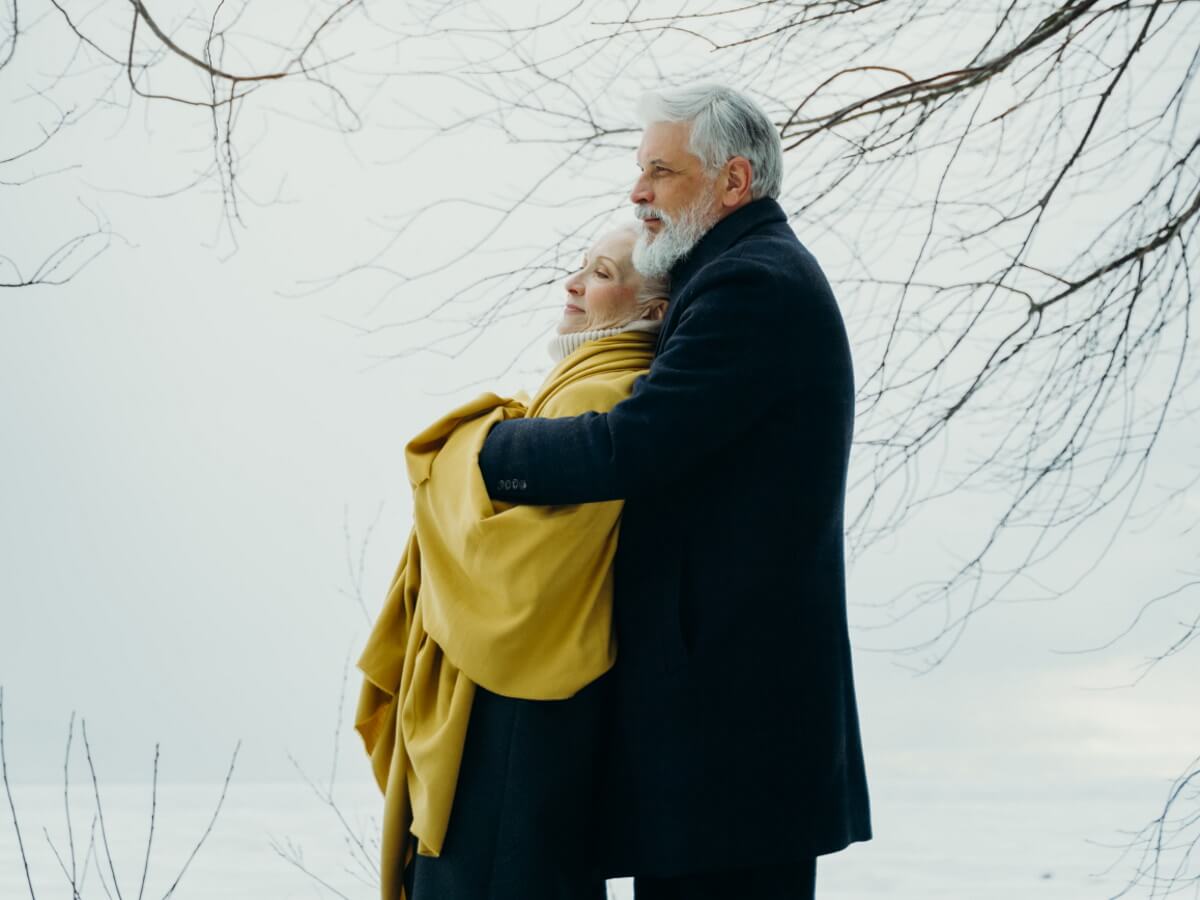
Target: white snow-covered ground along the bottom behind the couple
[{"x": 935, "y": 838}]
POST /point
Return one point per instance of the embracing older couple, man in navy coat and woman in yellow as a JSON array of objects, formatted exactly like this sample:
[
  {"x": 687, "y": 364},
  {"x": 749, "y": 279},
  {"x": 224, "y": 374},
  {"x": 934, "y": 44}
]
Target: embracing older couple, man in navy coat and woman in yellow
[{"x": 616, "y": 644}]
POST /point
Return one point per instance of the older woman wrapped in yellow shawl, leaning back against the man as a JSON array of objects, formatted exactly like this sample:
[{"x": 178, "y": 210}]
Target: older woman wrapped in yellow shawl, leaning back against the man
[{"x": 482, "y": 700}]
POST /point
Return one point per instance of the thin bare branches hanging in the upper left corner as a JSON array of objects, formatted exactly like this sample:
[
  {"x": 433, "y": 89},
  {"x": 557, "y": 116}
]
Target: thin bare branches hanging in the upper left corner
[{"x": 206, "y": 61}]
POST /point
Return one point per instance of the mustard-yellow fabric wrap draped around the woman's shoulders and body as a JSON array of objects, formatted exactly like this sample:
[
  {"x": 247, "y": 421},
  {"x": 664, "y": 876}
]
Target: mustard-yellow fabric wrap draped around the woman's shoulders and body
[{"x": 517, "y": 599}]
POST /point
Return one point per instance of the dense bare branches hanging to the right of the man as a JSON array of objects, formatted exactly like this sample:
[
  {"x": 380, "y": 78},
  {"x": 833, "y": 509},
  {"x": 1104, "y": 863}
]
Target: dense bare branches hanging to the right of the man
[{"x": 1051, "y": 341}]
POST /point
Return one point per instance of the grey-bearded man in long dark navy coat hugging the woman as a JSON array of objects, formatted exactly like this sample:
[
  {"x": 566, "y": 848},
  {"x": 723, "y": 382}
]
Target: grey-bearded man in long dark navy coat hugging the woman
[{"x": 735, "y": 757}]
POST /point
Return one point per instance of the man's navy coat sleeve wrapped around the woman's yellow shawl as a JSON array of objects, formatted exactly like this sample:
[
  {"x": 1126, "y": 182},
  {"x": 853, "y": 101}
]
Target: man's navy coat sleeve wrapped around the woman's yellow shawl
[{"x": 722, "y": 369}]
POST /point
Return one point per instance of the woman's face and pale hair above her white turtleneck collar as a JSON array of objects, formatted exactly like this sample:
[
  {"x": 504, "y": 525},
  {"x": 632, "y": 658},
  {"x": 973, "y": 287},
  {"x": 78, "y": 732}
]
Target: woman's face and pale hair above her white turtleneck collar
[{"x": 604, "y": 292}]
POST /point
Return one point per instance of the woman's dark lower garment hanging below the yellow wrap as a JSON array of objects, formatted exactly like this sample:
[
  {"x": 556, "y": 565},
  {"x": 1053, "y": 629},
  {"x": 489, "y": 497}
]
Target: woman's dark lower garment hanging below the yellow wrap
[{"x": 525, "y": 806}]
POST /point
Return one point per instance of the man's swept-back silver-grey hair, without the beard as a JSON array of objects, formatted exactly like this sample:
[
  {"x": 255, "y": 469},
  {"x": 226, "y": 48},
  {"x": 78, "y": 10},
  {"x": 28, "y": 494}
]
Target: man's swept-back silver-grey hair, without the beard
[{"x": 724, "y": 124}]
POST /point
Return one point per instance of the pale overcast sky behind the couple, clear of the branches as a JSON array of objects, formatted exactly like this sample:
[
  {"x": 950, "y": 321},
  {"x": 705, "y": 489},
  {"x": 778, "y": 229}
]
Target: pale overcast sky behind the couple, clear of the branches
[{"x": 188, "y": 448}]
